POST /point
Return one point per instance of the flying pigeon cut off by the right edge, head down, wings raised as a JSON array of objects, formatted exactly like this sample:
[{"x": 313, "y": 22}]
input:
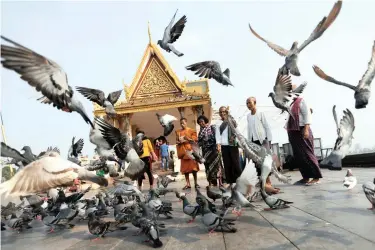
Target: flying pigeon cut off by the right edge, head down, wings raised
[{"x": 362, "y": 91}]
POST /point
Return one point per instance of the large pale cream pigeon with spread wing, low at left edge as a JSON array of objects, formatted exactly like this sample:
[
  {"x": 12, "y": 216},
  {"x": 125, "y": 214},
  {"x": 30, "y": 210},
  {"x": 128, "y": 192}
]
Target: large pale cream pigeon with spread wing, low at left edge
[{"x": 50, "y": 171}]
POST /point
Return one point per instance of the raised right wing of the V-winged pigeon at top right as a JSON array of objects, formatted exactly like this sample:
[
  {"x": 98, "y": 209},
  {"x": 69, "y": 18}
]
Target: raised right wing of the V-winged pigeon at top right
[{"x": 323, "y": 25}]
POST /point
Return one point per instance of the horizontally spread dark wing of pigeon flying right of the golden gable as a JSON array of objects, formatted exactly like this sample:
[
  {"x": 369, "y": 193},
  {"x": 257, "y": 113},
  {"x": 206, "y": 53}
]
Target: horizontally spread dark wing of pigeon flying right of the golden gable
[{"x": 207, "y": 69}]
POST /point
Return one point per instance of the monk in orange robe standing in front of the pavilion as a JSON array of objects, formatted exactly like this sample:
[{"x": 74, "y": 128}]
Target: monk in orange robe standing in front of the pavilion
[{"x": 184, "y": 137}]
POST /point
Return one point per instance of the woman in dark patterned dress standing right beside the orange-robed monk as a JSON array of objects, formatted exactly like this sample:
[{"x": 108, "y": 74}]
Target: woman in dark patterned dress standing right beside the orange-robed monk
[{"x": 207, "y": 141}]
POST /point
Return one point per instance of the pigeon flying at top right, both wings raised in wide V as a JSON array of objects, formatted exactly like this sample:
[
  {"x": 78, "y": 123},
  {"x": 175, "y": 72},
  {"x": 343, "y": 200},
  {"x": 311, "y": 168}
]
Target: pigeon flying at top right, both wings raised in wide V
[{"x": 291, "y": 56}]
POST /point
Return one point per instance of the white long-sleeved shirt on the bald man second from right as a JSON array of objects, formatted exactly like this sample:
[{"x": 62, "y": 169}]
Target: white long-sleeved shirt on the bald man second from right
[{"x": 258, "y": 128}]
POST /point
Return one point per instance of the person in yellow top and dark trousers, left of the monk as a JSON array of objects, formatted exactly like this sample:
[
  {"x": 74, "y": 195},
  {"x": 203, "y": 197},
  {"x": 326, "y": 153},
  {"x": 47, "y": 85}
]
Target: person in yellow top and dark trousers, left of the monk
[{"x": 148, "y": 152}]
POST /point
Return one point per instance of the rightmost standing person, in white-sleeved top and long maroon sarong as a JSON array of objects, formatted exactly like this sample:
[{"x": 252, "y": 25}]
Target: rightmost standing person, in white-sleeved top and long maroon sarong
[{"x": 302, "y": 140}]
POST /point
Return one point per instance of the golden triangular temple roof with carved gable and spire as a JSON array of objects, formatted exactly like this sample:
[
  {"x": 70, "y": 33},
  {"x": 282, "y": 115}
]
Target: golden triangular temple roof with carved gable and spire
[{"x": 155, "y": 83}]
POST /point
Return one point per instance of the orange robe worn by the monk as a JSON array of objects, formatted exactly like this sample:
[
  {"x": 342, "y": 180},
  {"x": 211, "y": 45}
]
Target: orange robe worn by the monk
[{"x": 187, "y": 164}]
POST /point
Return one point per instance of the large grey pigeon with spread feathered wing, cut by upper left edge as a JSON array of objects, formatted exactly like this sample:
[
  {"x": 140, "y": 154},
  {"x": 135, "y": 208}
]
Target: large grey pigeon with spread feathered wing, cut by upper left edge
[{"x": 45, "y": 75}]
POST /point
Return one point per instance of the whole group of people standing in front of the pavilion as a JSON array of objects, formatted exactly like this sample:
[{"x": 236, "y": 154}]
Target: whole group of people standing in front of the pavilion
[{"x": 224, "y": 160}]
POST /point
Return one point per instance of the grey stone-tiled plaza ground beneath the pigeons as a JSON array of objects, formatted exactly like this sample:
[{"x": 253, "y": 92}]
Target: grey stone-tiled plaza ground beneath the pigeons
[{"x": 324, "y": 216}]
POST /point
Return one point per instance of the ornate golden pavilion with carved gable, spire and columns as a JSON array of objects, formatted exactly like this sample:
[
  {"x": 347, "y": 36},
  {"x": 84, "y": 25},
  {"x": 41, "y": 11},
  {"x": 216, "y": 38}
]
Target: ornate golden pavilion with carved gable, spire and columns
[{"x": 156, "y": 88}]
